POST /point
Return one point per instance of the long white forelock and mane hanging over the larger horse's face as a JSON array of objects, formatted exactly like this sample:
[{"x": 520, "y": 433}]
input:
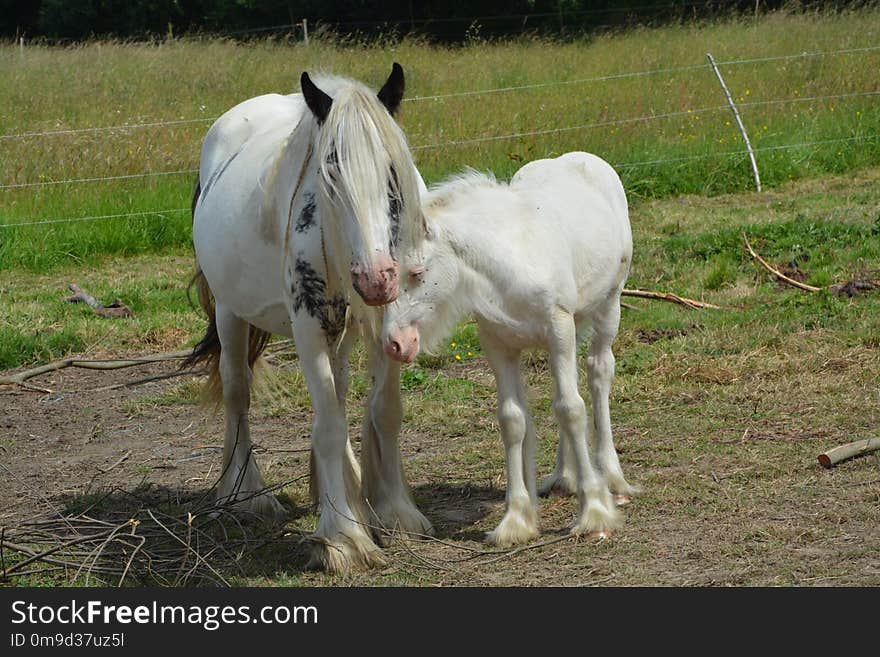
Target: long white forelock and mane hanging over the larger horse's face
[{"x": 367, "y": 143}]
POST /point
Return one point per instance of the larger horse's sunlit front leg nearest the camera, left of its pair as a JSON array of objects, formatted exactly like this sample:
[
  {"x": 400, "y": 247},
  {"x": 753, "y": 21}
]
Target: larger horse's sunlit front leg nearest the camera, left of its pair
[{"x": 341, "y": 540}]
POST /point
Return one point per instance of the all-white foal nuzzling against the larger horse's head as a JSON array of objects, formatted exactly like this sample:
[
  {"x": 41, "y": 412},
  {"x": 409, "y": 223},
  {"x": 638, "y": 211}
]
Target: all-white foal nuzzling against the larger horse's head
[{"x": 540, "y": 262}]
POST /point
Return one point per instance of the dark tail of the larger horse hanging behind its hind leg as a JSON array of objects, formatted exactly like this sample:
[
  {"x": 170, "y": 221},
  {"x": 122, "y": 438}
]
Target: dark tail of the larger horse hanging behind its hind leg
[{"x": 207, "y": 351}]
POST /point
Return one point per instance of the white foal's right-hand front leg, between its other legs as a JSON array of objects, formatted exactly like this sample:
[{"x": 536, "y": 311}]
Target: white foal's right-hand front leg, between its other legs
[{"x": 597, "y": 511}]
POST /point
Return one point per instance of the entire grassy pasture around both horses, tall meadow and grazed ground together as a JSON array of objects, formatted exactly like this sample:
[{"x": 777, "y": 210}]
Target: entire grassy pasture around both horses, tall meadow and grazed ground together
[{"x": 718, "y": 414}]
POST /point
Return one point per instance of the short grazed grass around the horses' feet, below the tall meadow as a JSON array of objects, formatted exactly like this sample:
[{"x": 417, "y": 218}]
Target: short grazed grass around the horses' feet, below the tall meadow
[{"x": 718, "y": 415}]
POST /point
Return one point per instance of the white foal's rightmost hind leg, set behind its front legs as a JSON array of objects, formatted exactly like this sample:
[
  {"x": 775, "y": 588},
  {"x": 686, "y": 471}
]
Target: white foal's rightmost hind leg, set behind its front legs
[{"x": 600, "y": 373}]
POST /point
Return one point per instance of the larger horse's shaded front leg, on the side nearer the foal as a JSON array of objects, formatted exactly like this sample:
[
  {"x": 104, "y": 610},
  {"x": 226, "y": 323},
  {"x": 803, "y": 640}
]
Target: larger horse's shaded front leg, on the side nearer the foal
[{"x": 384, "y": 483}]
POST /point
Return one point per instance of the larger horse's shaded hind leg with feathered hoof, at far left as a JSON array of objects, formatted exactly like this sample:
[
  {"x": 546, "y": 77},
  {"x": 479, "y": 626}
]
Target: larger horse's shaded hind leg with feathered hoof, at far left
[{"x": 240, "y": 482}]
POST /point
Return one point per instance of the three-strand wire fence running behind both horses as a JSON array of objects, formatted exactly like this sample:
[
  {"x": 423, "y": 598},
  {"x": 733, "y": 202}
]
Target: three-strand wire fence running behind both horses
[{"x": 477, "y": 139}]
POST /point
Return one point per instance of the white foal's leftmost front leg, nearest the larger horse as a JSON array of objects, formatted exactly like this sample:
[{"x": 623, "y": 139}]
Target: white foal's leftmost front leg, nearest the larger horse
[{"x": 520, "y": 522}]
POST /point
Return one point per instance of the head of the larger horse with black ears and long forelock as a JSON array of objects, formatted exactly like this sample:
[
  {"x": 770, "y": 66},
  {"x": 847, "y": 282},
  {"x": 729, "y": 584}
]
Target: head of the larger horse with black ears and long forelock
[{"x": 368, "y": 186}]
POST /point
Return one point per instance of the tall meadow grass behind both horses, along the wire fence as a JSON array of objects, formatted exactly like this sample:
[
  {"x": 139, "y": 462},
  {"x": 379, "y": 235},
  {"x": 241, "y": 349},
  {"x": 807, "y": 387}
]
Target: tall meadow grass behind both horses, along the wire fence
[{"x": 113, "y": 84}]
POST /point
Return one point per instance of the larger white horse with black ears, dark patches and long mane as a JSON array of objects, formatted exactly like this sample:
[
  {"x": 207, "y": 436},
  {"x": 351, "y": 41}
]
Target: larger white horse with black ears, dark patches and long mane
[{"x": 302, "y": 205}]
